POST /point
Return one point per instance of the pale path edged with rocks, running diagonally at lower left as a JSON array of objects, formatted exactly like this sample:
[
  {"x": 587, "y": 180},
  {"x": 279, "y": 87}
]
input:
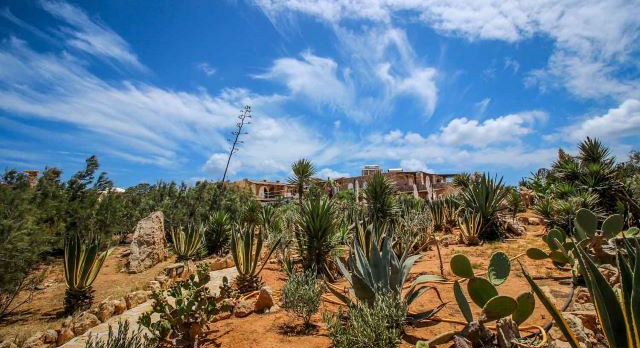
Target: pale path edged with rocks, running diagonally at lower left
[{"x": 133, "y": 314}]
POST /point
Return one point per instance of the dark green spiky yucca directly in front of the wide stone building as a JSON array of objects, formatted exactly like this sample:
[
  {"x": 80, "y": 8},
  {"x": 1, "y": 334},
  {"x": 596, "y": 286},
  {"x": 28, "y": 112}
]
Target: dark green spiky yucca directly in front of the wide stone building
[{"x": 382, "y": 202}]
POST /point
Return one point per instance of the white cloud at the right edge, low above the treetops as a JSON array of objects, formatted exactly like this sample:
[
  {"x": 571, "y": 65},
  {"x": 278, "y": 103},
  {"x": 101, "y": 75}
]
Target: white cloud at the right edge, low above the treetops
[{"x": 617, "y": 124}]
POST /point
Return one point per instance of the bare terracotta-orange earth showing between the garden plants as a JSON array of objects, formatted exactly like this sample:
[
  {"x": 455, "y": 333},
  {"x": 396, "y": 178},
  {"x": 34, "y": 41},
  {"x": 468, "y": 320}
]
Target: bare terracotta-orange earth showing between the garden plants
[{"x": 272, "y": 330}]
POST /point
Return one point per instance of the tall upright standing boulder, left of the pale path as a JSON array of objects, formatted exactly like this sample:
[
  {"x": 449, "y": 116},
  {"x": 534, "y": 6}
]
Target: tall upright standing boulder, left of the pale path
[{"x": 148, "y": 246}]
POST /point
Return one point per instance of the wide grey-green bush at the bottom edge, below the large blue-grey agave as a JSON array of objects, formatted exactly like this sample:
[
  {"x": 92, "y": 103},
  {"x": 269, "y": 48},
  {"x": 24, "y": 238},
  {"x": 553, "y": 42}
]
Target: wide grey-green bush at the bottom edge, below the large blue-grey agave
[{"x": 379, "y": 326}]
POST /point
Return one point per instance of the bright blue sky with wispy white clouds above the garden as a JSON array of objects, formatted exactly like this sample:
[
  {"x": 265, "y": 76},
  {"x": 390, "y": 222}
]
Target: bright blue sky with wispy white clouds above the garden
[{"x": 154, "y": 88}]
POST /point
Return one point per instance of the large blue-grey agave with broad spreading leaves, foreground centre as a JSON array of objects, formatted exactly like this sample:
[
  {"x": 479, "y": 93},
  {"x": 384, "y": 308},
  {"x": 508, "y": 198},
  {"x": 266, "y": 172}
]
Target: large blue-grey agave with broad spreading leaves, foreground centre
[{"x": 383, "y": 273}]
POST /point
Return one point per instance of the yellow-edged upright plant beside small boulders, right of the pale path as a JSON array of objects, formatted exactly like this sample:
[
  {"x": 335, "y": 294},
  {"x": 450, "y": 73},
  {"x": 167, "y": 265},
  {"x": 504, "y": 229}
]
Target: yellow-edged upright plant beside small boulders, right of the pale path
[{"x": 246, "y": 248}]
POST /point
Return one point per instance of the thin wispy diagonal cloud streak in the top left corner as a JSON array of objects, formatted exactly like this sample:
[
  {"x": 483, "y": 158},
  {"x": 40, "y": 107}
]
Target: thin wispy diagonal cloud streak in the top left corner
[{"x": 89, "y": 35}]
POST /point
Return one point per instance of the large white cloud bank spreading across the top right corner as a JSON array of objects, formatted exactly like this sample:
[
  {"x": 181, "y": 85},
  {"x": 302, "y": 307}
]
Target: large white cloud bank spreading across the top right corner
[{"x": 592, "y": 38}]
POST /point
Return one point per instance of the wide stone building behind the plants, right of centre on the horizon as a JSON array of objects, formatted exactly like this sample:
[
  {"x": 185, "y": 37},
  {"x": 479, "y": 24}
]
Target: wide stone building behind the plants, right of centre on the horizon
[{"x": 421, "y": 184}]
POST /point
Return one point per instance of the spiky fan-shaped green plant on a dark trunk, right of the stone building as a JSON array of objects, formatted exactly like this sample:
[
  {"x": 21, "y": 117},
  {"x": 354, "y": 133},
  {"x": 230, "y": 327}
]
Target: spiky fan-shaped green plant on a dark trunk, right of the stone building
[{"x": 485, "y": 197}]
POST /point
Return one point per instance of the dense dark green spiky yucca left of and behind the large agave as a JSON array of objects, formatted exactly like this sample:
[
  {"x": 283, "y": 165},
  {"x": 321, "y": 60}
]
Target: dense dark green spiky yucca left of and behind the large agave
[{"x": 317, "y": 235}]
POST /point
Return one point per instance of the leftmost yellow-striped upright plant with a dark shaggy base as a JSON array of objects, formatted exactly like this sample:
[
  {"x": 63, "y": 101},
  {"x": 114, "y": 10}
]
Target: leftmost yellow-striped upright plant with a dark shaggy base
[{"x": 82, "y": 263}]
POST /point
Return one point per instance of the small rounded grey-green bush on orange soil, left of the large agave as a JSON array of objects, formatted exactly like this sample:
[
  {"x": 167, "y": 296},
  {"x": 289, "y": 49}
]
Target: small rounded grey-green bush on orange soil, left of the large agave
[{"x": 301, "y": 295}]
